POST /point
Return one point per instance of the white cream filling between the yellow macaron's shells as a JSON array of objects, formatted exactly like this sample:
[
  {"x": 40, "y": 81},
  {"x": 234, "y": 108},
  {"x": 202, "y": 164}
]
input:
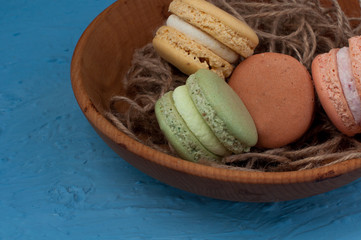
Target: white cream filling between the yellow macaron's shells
[{"x": 203, "y": 38}]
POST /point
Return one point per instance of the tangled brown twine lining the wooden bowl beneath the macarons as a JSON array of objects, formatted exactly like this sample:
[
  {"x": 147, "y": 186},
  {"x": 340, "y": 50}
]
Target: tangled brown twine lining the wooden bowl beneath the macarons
[{"x": 300, "y": 28}]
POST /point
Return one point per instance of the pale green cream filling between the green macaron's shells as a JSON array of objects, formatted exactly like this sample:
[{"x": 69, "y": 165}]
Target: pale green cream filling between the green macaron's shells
[{"x": 188, "y": 111}]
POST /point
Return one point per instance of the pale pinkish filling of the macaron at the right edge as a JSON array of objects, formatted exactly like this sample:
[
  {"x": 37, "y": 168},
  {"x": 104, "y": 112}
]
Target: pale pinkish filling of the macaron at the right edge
[{"x": 348, "y": 83}]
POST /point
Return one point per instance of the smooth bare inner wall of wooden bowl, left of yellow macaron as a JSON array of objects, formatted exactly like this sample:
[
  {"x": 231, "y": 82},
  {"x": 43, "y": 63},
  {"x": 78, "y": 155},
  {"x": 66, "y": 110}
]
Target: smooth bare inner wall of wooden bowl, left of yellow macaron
[{"x": 108, "y": 52}]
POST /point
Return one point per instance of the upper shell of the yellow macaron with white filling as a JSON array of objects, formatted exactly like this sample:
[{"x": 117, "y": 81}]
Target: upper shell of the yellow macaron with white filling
[{"x": 227, "y": 29}]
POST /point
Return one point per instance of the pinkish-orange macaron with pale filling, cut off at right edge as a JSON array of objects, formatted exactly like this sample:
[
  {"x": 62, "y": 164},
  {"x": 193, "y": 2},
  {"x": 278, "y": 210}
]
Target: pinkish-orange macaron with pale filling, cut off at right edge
[{"x": 337, "y": 78}]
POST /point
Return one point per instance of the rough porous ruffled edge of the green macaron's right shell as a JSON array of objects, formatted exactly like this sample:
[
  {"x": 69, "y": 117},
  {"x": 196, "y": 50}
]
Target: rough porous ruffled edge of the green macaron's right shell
[{"x": 213, "y": 120}]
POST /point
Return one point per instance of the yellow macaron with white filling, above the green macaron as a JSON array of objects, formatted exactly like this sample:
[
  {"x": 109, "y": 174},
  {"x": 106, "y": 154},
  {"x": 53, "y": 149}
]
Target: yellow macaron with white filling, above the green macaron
[{"x": 199, "y": 35}]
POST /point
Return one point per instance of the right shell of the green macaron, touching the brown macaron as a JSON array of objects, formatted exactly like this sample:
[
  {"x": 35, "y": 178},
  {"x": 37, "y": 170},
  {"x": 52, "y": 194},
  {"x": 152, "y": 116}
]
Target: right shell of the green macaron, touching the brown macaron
[{"x": 207, "y": 89}]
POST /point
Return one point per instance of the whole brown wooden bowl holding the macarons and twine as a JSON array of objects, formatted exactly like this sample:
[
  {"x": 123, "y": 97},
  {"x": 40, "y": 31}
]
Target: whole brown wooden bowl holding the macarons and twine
[{"x": 101, "y": 59}]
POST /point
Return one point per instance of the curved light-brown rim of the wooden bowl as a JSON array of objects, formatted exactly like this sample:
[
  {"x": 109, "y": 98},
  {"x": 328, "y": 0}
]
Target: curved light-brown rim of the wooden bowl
[{"x": 177, "y": 164}]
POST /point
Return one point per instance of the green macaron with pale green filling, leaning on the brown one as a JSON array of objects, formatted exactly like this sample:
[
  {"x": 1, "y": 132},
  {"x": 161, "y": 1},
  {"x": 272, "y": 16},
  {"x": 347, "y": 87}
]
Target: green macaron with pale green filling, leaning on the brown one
[{"x": 205, "y": 119}]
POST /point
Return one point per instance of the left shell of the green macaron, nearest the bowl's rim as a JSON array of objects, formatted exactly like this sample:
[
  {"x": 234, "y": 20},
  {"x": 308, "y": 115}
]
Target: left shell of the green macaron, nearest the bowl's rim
[{"x": 177, "y": 133}]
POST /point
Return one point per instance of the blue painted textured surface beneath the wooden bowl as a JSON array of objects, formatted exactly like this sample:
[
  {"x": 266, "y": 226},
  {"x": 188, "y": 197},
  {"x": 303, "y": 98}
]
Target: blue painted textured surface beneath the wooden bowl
[{"x": 59, "y": 180}]
